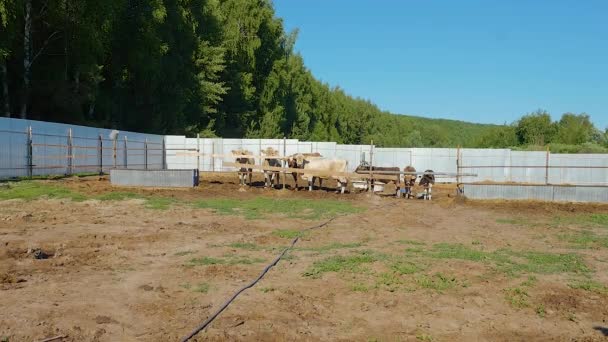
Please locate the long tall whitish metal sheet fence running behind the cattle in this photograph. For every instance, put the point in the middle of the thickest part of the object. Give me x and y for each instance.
(48, 149)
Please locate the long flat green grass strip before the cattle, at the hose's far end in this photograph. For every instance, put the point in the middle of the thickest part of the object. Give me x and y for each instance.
(261, 207)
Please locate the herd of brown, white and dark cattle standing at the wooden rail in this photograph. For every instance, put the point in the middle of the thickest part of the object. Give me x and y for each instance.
(323, 168)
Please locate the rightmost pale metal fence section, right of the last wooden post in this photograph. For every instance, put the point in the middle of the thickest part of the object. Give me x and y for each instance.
(595, 171)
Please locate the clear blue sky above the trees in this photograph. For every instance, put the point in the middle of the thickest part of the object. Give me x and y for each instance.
(485, 61)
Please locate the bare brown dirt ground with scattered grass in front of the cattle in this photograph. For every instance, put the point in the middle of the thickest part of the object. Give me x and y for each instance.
(396, 270)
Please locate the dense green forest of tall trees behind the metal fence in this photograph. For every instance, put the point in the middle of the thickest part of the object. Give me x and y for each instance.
(216, 68)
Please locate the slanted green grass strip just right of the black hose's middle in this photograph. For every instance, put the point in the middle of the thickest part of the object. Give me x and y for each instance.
(338, 263)
